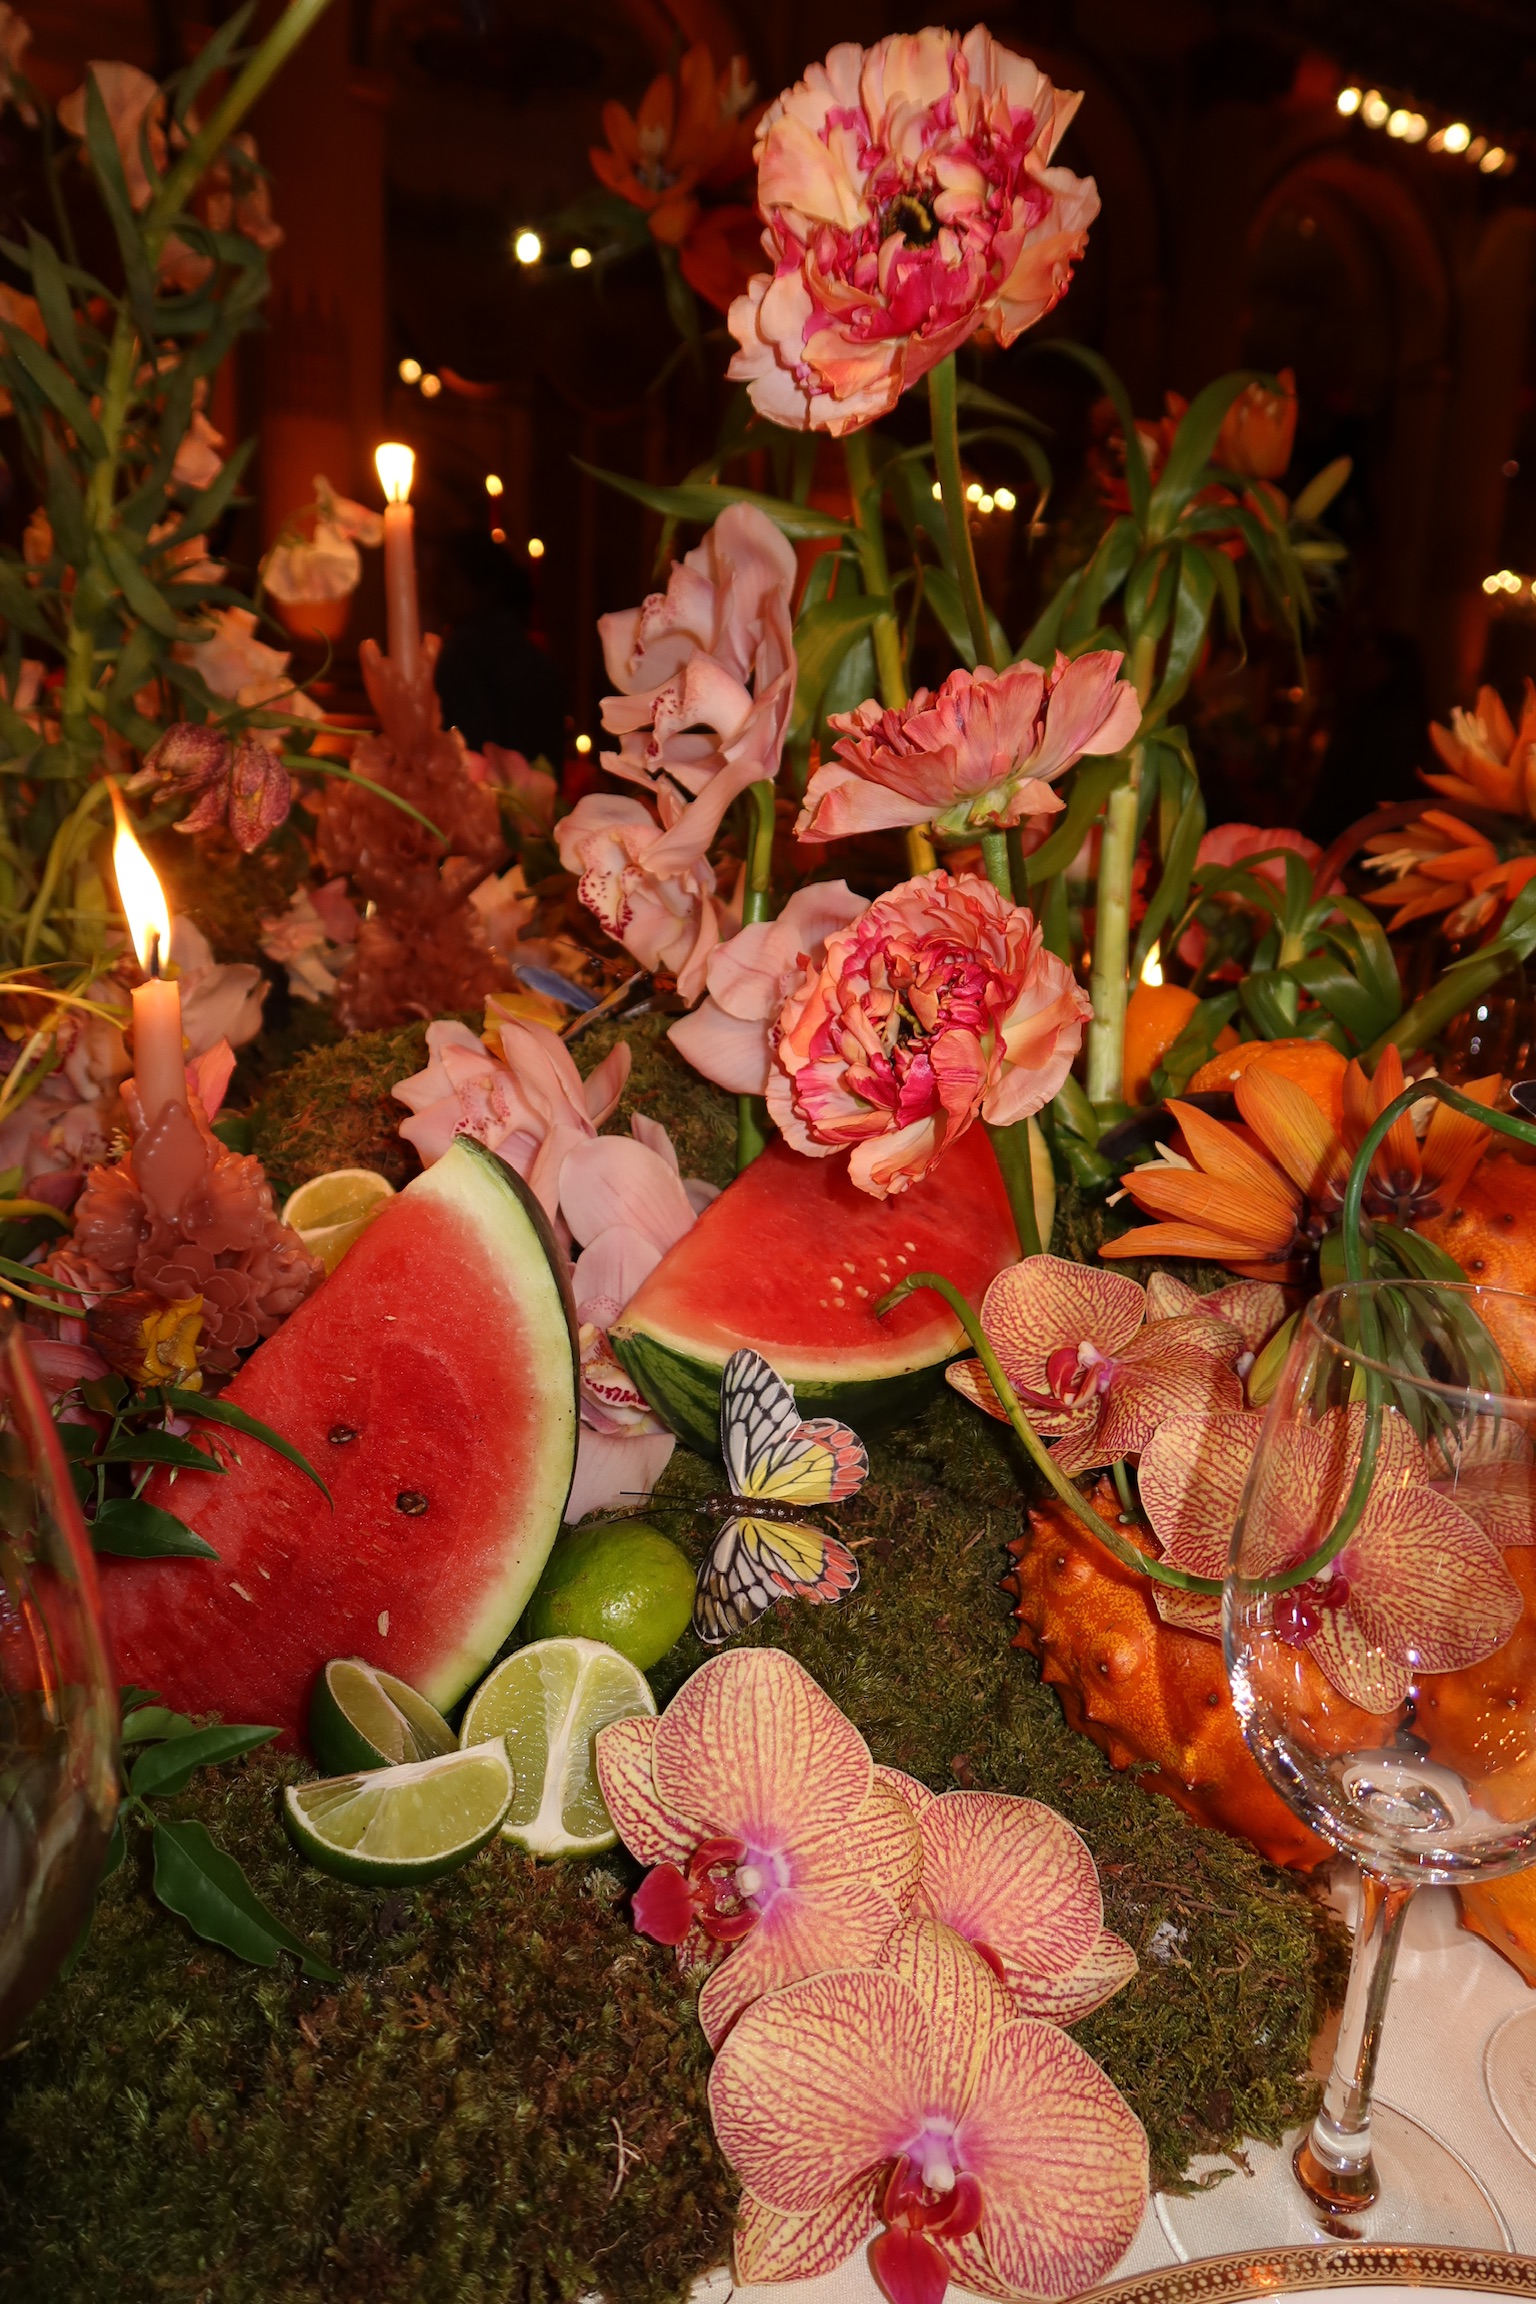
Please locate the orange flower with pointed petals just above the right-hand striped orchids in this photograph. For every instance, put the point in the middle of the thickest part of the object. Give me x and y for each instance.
(1259, 1199)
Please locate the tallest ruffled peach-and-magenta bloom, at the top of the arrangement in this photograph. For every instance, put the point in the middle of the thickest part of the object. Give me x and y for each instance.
(911, 204)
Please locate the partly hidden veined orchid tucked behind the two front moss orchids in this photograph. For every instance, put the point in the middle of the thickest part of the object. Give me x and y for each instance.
(1021, 1888)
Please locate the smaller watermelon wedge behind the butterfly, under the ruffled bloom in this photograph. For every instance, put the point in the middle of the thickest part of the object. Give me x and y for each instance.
(793, 1261)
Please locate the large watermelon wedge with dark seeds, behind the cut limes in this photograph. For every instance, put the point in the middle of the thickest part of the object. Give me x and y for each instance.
(432, 1381)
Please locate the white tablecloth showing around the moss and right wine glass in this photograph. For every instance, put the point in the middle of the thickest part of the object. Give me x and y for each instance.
(1450, 1996)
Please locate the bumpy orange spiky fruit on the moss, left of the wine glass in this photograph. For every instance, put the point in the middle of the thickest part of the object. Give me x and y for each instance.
(1150, 1697)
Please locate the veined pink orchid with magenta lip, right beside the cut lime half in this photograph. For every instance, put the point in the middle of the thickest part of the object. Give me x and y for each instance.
(766, 1826)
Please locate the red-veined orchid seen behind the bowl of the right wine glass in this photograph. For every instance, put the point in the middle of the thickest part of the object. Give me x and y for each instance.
(1417, 1589)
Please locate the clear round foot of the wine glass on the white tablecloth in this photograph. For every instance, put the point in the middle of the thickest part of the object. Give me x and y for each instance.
(1427, 2195)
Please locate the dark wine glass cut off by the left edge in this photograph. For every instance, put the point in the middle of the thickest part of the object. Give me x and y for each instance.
(59, 1706)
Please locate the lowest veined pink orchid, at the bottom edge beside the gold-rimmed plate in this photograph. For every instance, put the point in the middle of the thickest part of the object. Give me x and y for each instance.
(987, 2146)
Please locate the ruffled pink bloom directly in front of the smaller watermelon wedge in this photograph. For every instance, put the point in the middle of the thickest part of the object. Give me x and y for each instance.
(938, 1008)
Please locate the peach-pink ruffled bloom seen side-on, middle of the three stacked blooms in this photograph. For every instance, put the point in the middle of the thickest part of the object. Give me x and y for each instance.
(978, 757)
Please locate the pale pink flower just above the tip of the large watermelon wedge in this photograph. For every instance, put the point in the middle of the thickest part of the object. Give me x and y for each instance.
(526, 1102)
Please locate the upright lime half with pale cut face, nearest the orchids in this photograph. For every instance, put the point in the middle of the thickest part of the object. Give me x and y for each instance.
(547, 1706)
